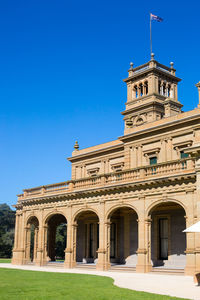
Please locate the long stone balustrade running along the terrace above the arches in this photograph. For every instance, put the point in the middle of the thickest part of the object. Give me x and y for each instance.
(181, 166)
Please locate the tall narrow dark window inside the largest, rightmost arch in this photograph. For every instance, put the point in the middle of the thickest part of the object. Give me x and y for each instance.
(163, 238)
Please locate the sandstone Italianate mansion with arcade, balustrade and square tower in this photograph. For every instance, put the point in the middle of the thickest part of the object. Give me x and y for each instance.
(128, 200)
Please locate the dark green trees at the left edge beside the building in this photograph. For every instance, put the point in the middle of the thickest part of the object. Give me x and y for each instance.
(7, 227)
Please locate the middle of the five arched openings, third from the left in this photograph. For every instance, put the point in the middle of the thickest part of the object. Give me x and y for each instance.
(87, 238)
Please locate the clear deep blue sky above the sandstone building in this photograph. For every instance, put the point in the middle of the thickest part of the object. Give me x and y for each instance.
(61, 70)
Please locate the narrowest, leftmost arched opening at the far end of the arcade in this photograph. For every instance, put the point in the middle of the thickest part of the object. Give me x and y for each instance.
(32, 239)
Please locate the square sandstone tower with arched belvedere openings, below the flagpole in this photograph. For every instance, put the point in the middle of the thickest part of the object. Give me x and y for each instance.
(151, 93)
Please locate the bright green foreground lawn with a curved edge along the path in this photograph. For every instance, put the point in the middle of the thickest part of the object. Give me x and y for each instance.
(33, 285)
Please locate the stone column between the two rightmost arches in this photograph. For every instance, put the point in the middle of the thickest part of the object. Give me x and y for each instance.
(144, 246)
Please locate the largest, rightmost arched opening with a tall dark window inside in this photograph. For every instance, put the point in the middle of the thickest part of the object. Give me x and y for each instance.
(168, 242)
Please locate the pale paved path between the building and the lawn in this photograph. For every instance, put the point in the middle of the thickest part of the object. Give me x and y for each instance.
(172, 285)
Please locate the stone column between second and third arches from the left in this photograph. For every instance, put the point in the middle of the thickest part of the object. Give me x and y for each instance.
(70, 251)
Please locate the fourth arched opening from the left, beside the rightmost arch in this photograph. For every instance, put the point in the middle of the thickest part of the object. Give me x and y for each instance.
(123, 237)
